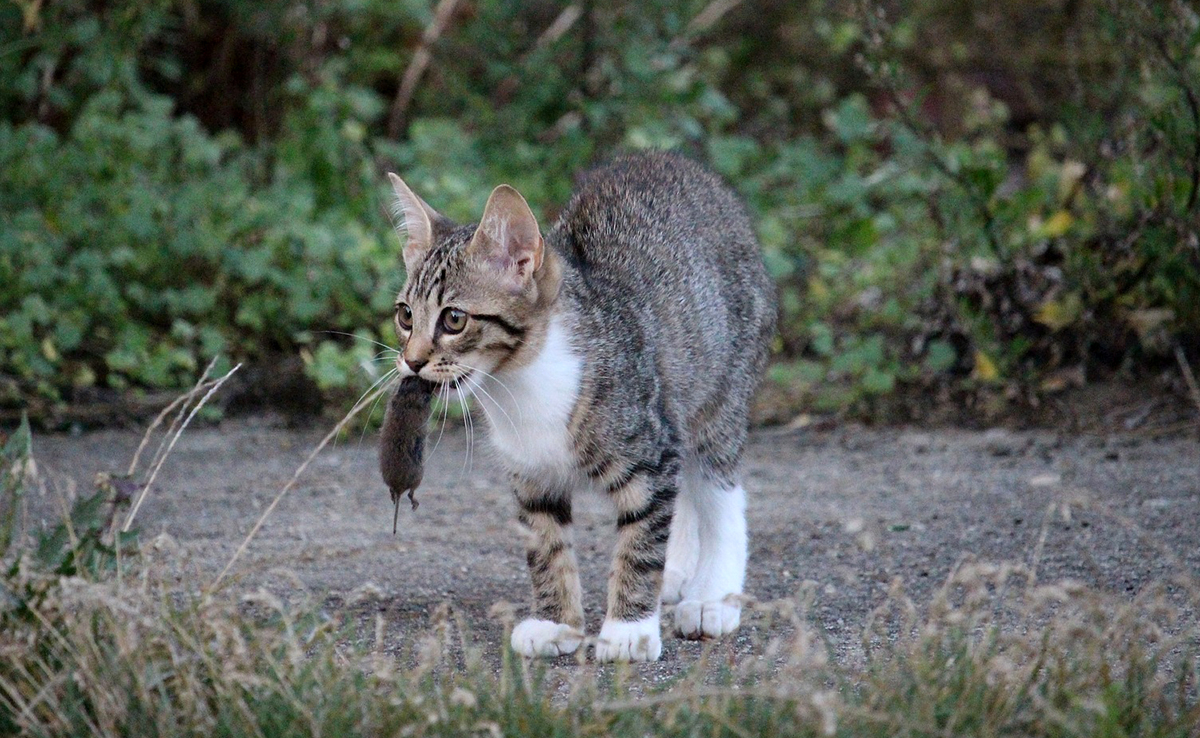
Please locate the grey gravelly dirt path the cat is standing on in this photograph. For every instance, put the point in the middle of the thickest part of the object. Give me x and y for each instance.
(841, 513)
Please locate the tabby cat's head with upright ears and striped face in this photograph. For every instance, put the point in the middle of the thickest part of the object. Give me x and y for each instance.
(477, 298)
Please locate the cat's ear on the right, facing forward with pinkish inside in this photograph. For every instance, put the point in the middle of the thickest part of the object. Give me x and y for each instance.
(508, 237)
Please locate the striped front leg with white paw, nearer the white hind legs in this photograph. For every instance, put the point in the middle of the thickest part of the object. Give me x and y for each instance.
(645, 497)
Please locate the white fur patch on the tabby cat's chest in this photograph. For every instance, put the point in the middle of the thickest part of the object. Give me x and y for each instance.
(530, 409)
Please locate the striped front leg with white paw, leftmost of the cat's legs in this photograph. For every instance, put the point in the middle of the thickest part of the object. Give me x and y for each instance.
(556, 625)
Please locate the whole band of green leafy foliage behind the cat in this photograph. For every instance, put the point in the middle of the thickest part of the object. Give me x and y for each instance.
(179, 182)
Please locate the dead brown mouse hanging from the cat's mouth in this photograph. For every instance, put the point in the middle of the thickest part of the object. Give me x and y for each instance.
(403, 440)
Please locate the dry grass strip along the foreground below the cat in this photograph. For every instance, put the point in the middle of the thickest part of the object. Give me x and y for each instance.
(98, 640)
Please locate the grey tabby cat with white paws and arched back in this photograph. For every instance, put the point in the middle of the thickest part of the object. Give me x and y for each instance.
(619, 352)
